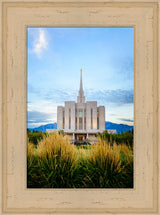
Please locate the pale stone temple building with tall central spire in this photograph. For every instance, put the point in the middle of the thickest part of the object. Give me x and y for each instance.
(81, 121)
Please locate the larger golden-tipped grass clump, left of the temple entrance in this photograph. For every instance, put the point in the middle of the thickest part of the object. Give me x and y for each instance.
(55, 164)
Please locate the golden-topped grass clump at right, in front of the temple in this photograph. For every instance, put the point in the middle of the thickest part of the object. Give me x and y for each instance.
(104, 166)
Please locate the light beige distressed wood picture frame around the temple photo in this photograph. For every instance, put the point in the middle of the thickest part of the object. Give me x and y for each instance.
(16, 16)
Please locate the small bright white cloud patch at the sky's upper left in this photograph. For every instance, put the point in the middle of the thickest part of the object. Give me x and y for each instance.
(40, 43)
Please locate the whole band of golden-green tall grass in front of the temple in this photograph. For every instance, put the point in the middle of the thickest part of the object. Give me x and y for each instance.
(55, 163)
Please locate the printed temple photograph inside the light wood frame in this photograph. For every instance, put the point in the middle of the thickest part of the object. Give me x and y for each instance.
(80, 121)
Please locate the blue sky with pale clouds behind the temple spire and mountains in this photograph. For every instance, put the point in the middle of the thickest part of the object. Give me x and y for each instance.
(55, 57)
